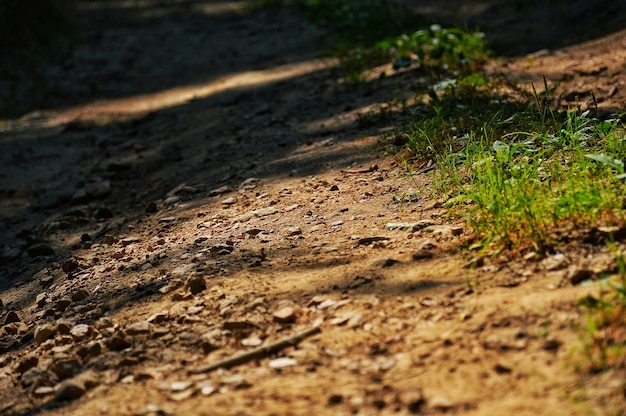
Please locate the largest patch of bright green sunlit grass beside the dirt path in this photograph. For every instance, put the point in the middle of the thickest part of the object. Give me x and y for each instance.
(519, 171)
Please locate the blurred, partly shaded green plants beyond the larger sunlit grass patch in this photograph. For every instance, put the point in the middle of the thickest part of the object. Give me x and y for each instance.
(367, 33)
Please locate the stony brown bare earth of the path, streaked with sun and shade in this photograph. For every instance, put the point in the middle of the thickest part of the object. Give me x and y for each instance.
(196, 185)
